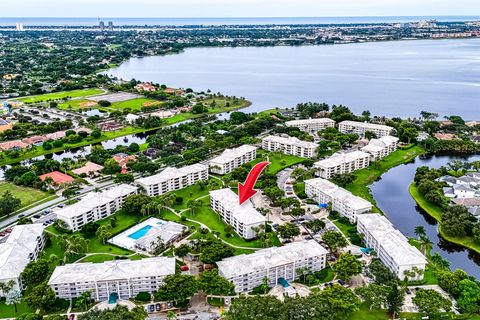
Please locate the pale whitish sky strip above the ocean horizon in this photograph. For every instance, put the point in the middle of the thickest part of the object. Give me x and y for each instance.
(235, 8)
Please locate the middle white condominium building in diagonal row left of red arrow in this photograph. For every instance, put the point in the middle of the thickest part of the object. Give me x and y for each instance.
(172, 179)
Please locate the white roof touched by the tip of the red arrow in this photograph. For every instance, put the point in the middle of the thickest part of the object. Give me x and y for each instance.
(244, 213)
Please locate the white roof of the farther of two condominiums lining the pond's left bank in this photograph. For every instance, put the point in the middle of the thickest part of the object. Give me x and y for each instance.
(339, 194)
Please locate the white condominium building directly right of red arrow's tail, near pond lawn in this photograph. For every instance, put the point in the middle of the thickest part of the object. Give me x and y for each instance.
(342, 163)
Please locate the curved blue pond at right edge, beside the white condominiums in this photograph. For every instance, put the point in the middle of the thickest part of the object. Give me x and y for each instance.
(392, 196)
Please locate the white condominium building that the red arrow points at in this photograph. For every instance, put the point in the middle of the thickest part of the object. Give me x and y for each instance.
(243, 218)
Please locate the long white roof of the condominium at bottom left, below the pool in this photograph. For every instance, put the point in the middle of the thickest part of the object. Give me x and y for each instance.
(113, 270)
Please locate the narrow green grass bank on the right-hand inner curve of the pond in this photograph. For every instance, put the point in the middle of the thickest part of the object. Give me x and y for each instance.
(436, 212)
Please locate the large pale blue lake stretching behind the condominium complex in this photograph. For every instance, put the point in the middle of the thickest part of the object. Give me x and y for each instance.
(388, 78)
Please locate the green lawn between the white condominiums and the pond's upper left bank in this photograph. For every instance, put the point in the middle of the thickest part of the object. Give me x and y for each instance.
(367, 176)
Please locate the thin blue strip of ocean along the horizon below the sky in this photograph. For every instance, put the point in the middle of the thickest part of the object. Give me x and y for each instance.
(29, 21)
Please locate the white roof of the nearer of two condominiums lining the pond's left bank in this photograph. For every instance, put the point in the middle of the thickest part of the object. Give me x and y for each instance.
(392, 240)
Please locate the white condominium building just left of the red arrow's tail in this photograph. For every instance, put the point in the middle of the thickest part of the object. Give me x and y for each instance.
(232, 158)
